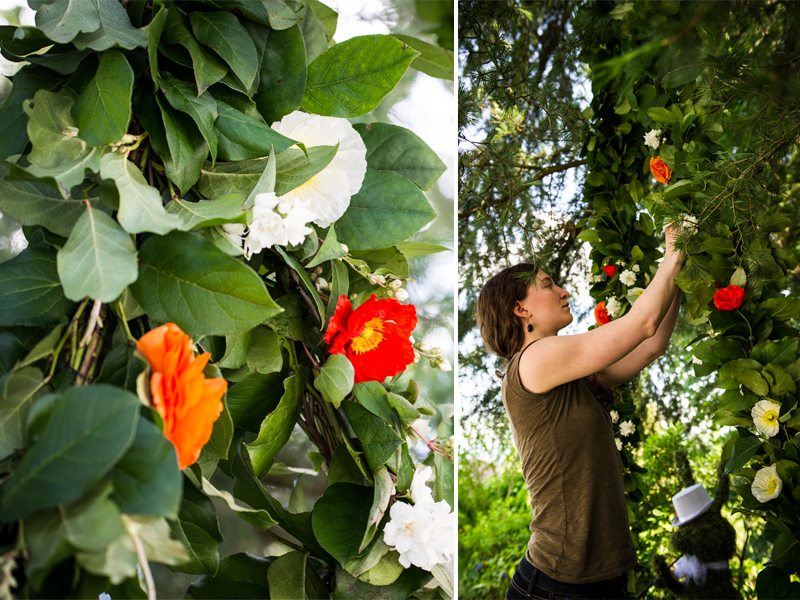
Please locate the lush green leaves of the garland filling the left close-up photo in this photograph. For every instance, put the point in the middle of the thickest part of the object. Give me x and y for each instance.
(136, 137)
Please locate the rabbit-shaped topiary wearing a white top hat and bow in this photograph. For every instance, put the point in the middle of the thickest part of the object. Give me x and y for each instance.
(707, 541)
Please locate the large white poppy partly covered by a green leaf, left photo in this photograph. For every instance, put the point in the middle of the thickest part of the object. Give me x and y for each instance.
(328, 192)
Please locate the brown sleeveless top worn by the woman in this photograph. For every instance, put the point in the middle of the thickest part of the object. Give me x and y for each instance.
(565, 440)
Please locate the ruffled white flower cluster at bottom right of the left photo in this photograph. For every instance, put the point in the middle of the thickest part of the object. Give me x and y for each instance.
(421, 532)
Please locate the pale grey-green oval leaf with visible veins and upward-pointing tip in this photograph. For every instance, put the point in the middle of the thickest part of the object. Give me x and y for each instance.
(99, 259)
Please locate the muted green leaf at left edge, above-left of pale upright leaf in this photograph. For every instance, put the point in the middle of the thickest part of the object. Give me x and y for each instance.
(32, 201)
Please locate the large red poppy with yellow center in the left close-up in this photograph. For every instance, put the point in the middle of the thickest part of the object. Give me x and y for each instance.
(374, 337)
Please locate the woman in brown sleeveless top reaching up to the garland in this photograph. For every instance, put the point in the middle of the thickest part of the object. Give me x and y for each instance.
(580, 545)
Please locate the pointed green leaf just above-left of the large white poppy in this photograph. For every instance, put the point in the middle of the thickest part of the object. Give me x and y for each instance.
(244, 136)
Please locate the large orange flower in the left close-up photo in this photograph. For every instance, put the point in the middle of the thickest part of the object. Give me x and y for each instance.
(187, 401)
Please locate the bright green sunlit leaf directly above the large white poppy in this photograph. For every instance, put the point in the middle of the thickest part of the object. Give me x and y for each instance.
(351, 78)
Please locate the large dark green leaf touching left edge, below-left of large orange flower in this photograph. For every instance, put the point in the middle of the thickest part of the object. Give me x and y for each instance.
(90, 429)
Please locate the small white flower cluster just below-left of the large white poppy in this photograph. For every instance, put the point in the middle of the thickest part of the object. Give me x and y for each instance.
(276, 222)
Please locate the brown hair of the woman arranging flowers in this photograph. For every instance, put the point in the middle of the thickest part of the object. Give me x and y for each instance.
(500, 328)
